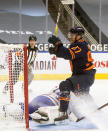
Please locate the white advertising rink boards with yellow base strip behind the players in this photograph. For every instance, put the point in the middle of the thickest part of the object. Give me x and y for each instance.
(50, 67)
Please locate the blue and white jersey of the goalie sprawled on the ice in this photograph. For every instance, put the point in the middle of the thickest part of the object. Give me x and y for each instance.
(50, 99)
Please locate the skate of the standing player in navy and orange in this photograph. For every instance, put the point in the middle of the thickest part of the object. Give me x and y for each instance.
(62, 119)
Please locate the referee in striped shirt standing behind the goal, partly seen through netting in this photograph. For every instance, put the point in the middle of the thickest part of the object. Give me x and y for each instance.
(17, 67)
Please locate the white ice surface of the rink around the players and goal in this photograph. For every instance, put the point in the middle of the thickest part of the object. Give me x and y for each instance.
(99, 91)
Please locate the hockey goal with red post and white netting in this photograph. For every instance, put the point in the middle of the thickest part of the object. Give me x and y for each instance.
(14, 84)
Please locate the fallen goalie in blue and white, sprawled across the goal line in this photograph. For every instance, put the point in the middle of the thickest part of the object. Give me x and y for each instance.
(45, 100)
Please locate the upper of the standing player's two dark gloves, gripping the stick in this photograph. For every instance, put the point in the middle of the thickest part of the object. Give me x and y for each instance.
(55, 41)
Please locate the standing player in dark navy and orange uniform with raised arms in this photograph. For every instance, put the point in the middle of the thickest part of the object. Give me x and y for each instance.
(83, 72)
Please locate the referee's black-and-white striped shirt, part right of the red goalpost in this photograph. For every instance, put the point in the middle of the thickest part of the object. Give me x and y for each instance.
(31, 54)
